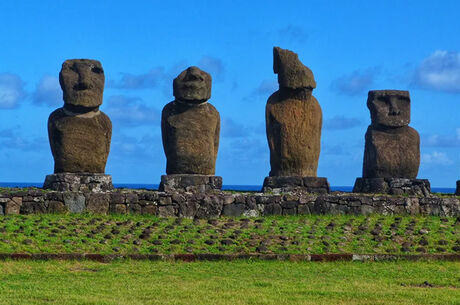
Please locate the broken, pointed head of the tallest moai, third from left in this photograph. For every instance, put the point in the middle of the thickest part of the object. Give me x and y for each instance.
(291, 72)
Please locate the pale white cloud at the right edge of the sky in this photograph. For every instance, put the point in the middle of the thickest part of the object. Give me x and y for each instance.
(440, 71)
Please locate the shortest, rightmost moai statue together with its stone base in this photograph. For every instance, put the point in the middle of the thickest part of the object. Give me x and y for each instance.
(392, 149)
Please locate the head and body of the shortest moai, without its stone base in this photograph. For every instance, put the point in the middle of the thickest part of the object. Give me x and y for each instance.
(392, 148)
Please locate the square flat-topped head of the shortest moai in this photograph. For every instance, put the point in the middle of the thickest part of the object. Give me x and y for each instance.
(389, 107)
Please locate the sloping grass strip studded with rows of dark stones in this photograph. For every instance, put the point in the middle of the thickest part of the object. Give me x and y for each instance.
(127, 234)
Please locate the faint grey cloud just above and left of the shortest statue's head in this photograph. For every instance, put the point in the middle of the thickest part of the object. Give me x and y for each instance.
(355, 83)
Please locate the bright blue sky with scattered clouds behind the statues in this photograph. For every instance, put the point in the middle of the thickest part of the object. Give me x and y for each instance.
(351, 47)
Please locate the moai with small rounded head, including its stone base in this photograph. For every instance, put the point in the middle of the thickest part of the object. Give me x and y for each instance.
(190, 129)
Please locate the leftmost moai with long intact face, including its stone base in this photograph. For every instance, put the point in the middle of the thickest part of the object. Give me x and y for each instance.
(79, 133)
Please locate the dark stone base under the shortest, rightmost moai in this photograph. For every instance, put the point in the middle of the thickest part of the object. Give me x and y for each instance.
(393, 186)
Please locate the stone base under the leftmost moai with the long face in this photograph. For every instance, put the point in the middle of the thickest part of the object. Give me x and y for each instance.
(79, 182)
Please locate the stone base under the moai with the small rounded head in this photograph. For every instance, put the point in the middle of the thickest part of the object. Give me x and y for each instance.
(190, 183)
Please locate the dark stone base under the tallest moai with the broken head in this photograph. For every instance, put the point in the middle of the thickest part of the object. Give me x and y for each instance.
(292, 183)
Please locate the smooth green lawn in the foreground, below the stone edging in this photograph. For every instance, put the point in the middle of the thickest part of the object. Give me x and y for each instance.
(239, 282)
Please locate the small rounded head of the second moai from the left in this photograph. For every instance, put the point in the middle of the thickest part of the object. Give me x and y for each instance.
(192, 86)
